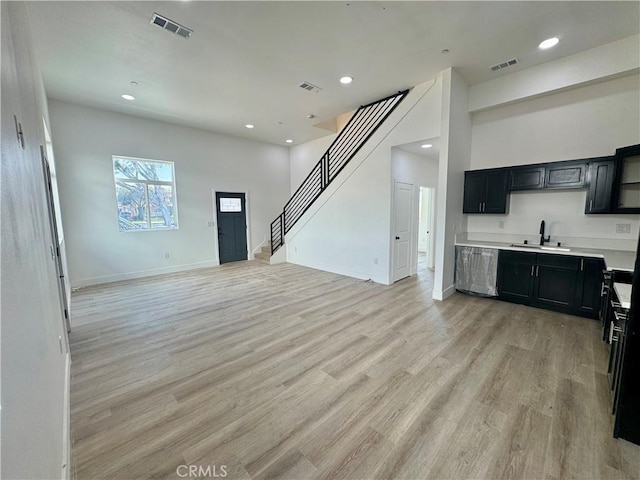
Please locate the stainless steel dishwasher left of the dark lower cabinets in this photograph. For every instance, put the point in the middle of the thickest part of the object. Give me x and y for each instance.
(477, 270)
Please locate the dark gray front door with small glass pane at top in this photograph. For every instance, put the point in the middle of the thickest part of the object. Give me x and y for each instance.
(232, 226)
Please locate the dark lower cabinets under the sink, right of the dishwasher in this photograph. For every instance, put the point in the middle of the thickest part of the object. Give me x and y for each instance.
(563, 283)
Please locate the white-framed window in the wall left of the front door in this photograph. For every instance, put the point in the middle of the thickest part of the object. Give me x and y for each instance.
(145, 194)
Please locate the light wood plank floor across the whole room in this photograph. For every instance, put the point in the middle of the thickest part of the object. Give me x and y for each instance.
(287, 372)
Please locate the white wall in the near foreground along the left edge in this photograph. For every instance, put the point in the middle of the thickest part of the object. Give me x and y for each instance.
(34, 425)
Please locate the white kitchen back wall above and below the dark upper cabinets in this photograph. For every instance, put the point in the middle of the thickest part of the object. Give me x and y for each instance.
(584, 122)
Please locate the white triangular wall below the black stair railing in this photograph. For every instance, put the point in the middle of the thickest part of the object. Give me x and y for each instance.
(347, 230)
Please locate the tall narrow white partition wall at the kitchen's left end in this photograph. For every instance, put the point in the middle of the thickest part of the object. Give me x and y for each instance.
(455, 148)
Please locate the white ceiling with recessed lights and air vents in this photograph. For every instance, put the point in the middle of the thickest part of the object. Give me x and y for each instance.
(245, 60)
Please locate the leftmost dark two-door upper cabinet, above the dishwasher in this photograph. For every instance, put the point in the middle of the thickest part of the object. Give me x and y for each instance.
(485, 191)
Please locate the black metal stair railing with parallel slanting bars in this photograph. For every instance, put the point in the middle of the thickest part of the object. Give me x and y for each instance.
(362, 125)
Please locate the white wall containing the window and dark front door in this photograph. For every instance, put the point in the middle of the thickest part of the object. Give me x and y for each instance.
(85, 140)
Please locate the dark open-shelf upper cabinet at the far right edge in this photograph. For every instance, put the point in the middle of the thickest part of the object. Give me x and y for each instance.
(626, 185)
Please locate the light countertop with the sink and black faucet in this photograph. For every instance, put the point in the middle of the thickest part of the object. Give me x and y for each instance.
(613, 259)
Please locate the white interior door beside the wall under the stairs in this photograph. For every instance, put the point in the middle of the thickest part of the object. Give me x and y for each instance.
(403, 238)
